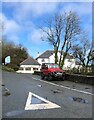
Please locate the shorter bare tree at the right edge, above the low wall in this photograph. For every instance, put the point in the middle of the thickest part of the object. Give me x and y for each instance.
(84, 53)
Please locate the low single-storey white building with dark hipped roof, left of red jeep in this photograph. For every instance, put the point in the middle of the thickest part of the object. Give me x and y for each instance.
(29, 66)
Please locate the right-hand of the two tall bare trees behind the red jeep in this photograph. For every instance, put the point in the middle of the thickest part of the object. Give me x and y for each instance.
(71, 31)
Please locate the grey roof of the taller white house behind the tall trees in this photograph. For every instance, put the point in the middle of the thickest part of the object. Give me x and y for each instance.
(48, 53)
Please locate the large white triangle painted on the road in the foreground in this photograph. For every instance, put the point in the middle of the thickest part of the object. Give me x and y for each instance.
(46, 105)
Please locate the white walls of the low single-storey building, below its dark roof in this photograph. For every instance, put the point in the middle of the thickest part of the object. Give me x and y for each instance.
(29, 71)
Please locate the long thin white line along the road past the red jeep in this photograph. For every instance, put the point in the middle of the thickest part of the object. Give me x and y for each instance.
(80, 91)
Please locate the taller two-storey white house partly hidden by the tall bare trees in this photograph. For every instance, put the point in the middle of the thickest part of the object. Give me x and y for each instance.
(48, 57)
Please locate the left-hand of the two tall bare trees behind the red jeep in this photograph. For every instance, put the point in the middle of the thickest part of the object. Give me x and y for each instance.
(53, 32)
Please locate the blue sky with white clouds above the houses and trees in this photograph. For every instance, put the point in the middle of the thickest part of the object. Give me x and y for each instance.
(22, 19)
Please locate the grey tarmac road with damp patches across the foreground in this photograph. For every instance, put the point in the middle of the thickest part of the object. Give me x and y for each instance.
(74, 99)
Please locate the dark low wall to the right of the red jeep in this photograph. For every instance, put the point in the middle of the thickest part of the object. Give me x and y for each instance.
(80, 78)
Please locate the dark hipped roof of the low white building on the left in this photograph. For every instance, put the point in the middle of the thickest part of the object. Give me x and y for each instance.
(29, 61)
